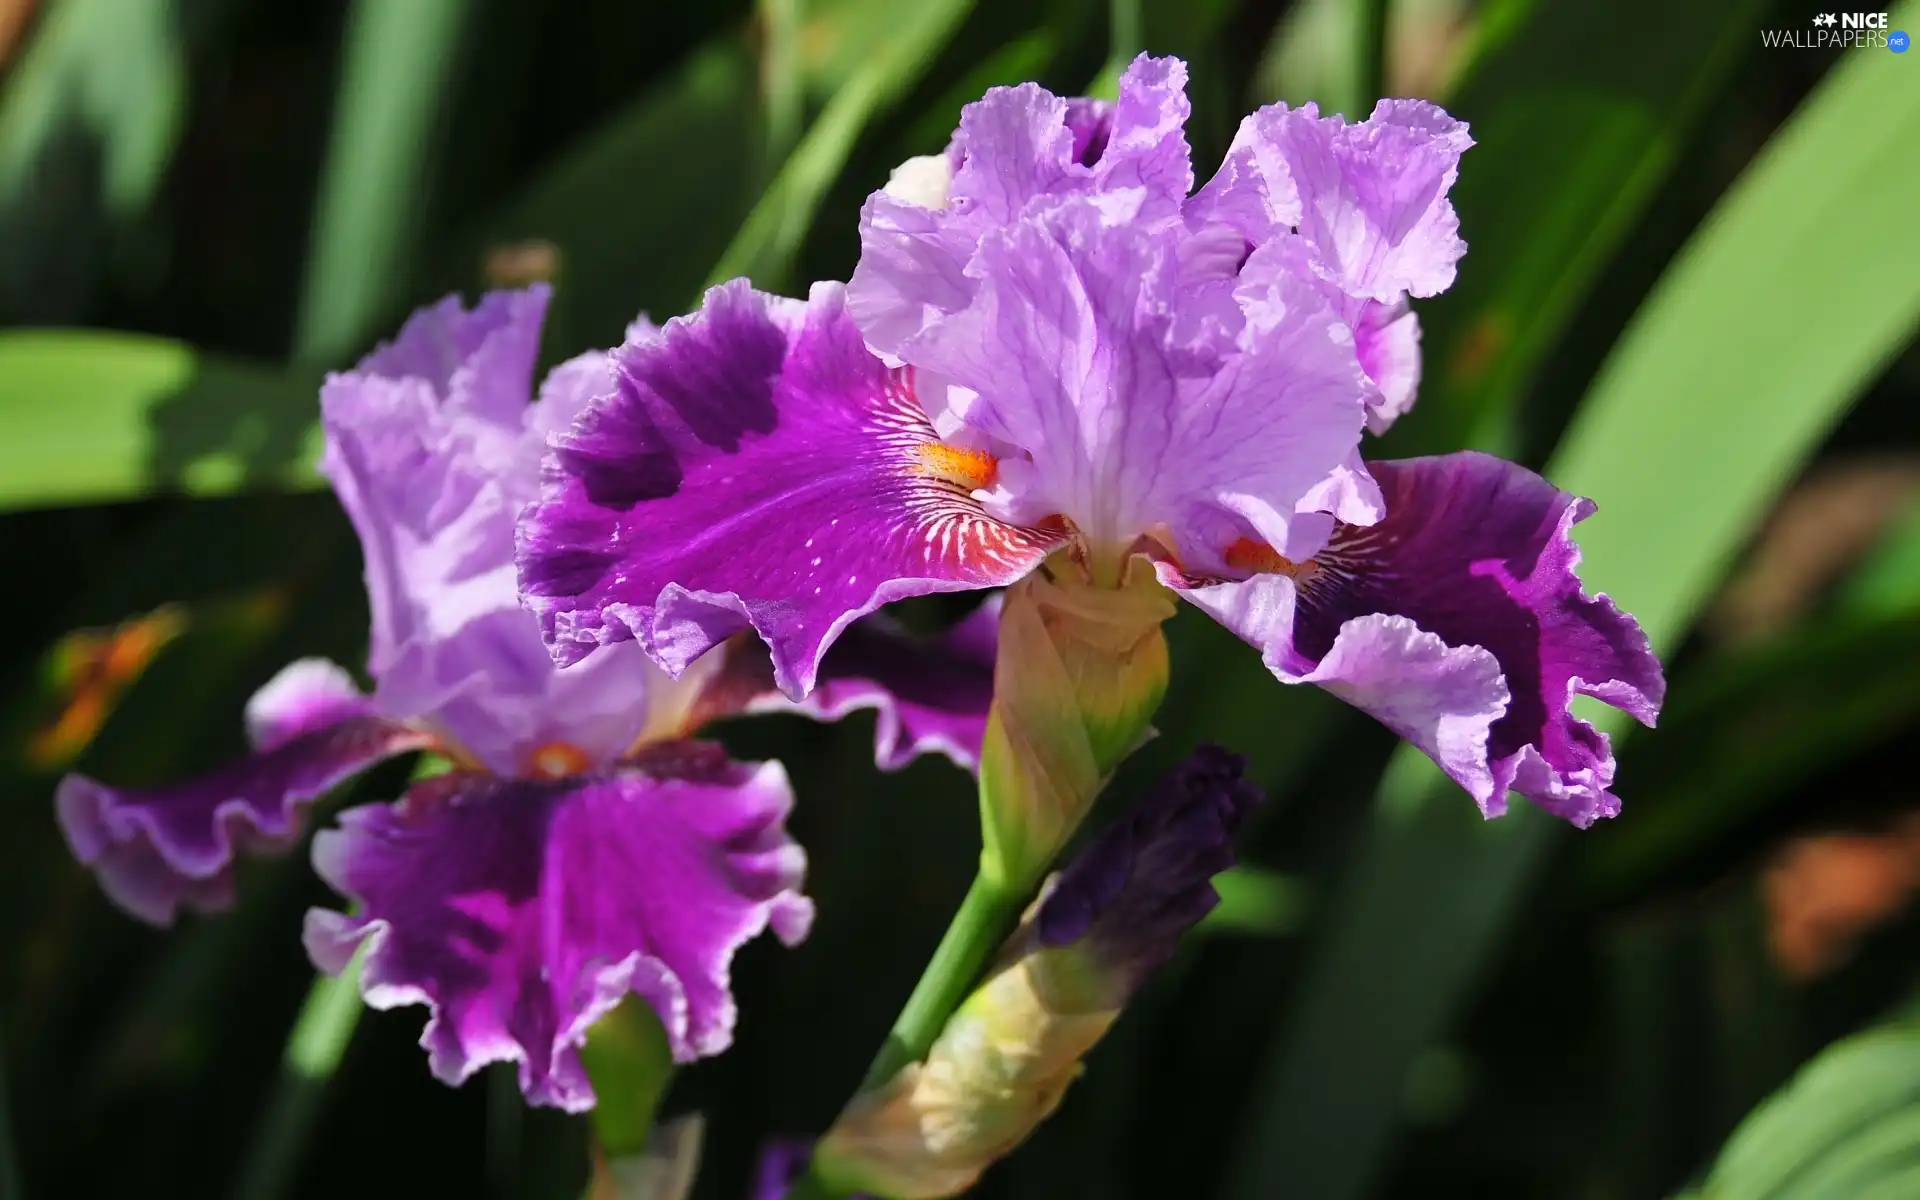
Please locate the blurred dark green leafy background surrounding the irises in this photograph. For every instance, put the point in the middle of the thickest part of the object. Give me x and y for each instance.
(1692, 295)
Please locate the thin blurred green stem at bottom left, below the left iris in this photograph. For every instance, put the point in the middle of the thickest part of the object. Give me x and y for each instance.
(314, 1053)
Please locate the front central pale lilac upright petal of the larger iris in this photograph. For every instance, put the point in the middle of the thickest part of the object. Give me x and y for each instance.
(1130, 423)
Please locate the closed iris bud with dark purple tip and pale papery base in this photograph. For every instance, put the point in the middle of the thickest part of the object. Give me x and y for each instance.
(1009, 1055)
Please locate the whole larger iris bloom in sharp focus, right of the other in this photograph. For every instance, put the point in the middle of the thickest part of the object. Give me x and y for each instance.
(1053, 343)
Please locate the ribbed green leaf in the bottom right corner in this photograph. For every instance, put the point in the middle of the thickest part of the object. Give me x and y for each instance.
(1846, 1128)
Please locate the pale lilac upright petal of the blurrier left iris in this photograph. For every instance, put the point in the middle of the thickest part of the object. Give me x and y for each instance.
(435, 450)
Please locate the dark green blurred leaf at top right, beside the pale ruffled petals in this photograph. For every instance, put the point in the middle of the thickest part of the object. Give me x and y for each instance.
(1579, 120)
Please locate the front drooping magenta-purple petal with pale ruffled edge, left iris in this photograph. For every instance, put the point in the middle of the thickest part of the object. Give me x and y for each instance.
(525, 911)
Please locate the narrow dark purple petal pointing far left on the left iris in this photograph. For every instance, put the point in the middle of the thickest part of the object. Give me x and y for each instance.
(164, 848)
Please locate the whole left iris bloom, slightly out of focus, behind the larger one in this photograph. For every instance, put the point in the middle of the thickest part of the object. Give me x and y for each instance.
(583, 848)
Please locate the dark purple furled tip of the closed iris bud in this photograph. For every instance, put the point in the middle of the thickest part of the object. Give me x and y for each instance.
(1149, 876)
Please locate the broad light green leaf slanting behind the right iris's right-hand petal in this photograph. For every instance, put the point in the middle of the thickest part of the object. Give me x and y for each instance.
(1781, 310)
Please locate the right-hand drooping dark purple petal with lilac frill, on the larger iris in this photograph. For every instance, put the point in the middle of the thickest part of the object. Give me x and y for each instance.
(1462, 625)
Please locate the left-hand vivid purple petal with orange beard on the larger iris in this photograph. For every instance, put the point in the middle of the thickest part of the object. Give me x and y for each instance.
(757, 468)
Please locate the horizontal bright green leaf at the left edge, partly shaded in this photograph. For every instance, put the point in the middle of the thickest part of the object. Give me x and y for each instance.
(89, 418)
